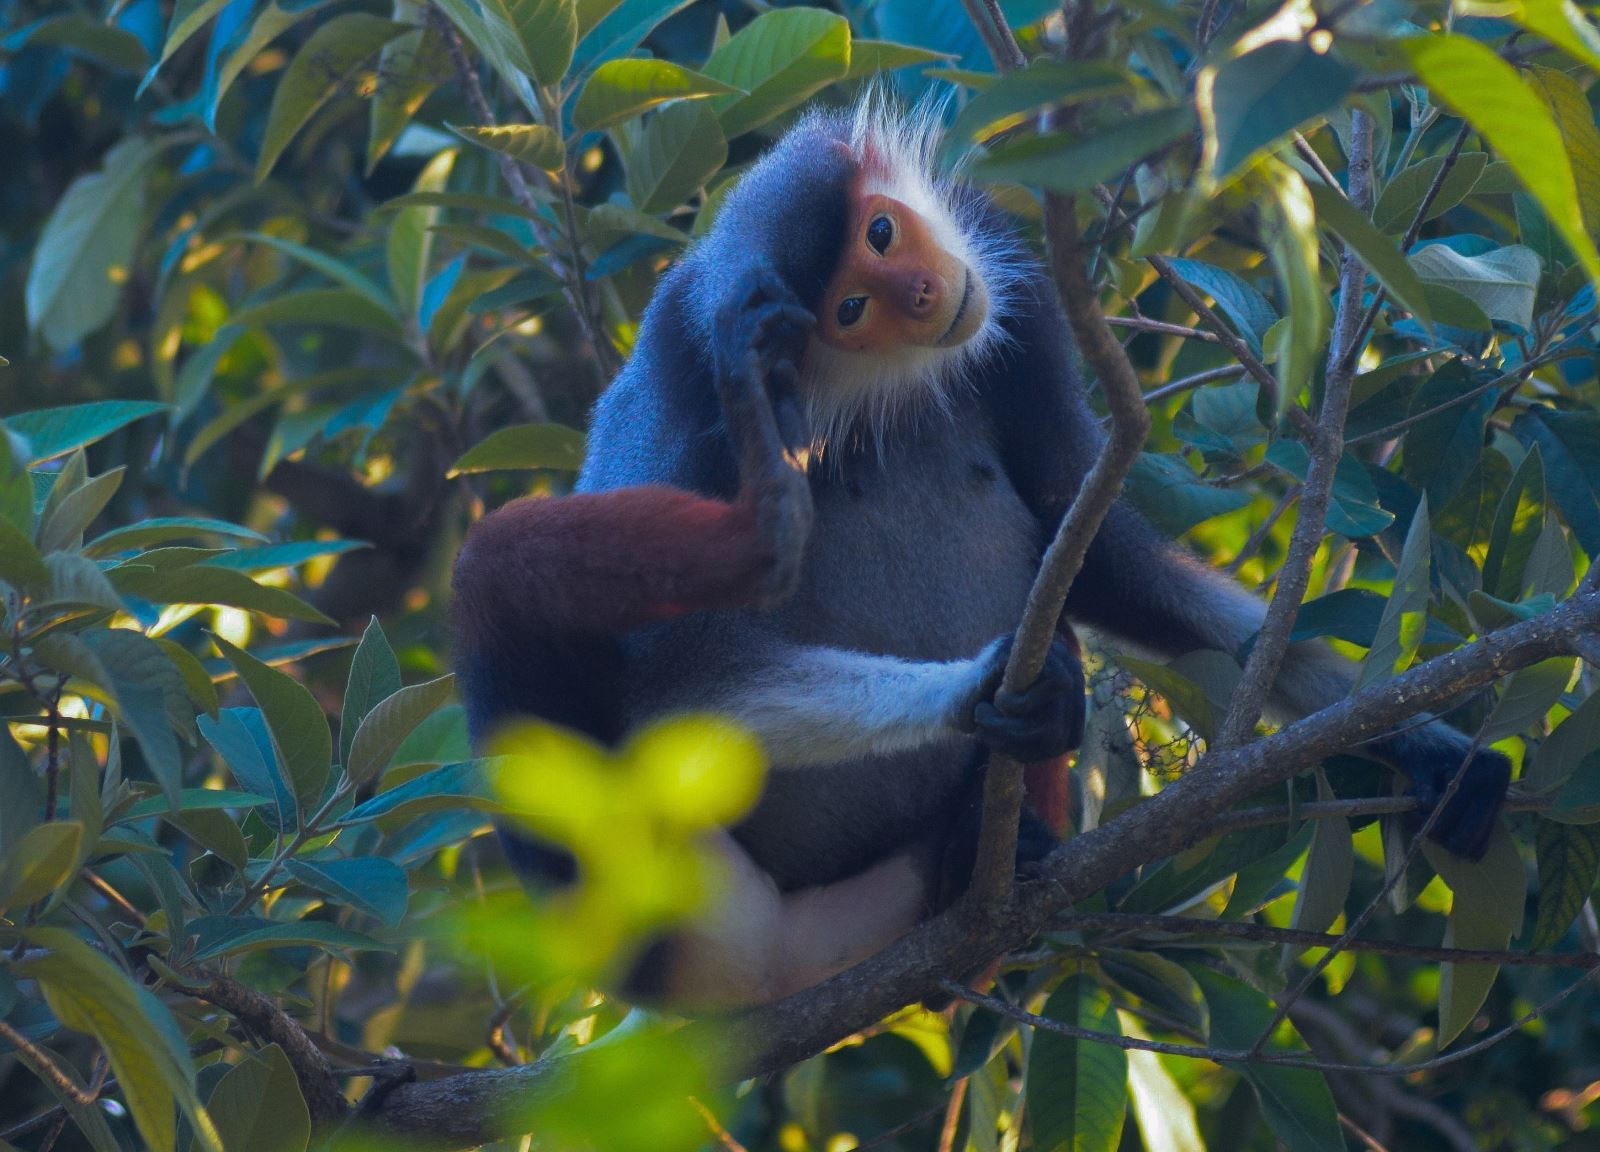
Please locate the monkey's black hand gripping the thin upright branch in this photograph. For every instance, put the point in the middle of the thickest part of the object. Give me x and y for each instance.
(1042, 722)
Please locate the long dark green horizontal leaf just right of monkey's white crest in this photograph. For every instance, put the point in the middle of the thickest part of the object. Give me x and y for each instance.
(1081, 161)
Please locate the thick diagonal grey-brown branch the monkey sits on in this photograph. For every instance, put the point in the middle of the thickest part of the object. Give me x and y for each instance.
(474, 1108)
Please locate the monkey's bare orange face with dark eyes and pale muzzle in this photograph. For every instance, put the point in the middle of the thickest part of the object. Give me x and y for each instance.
(897, 287)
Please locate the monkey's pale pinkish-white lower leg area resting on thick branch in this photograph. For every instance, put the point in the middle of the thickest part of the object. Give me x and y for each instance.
(761, 945)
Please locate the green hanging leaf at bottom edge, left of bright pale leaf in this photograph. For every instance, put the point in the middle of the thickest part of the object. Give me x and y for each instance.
(1078, 1090)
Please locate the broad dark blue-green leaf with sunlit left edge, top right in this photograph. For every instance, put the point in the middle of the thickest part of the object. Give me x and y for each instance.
(1258, 98)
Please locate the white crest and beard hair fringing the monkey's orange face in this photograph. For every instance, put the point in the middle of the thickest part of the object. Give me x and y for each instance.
(860, 394)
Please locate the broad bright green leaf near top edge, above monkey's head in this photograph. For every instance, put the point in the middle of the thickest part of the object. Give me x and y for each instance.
(782, 60)
